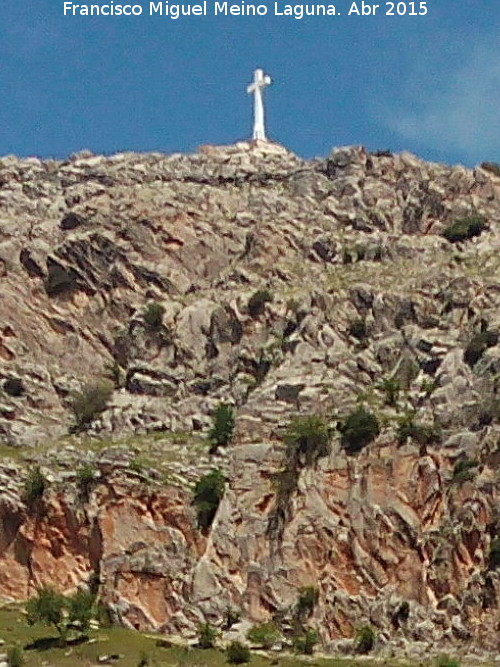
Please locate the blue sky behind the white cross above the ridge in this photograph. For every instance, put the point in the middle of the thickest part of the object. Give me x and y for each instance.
(427, 84)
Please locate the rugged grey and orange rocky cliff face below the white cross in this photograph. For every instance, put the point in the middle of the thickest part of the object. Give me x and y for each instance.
(365, 290)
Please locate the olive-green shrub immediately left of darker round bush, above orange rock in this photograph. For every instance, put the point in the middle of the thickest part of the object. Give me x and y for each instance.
(308, 437)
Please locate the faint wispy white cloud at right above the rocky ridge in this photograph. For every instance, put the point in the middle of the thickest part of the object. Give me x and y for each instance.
(455, 109)
